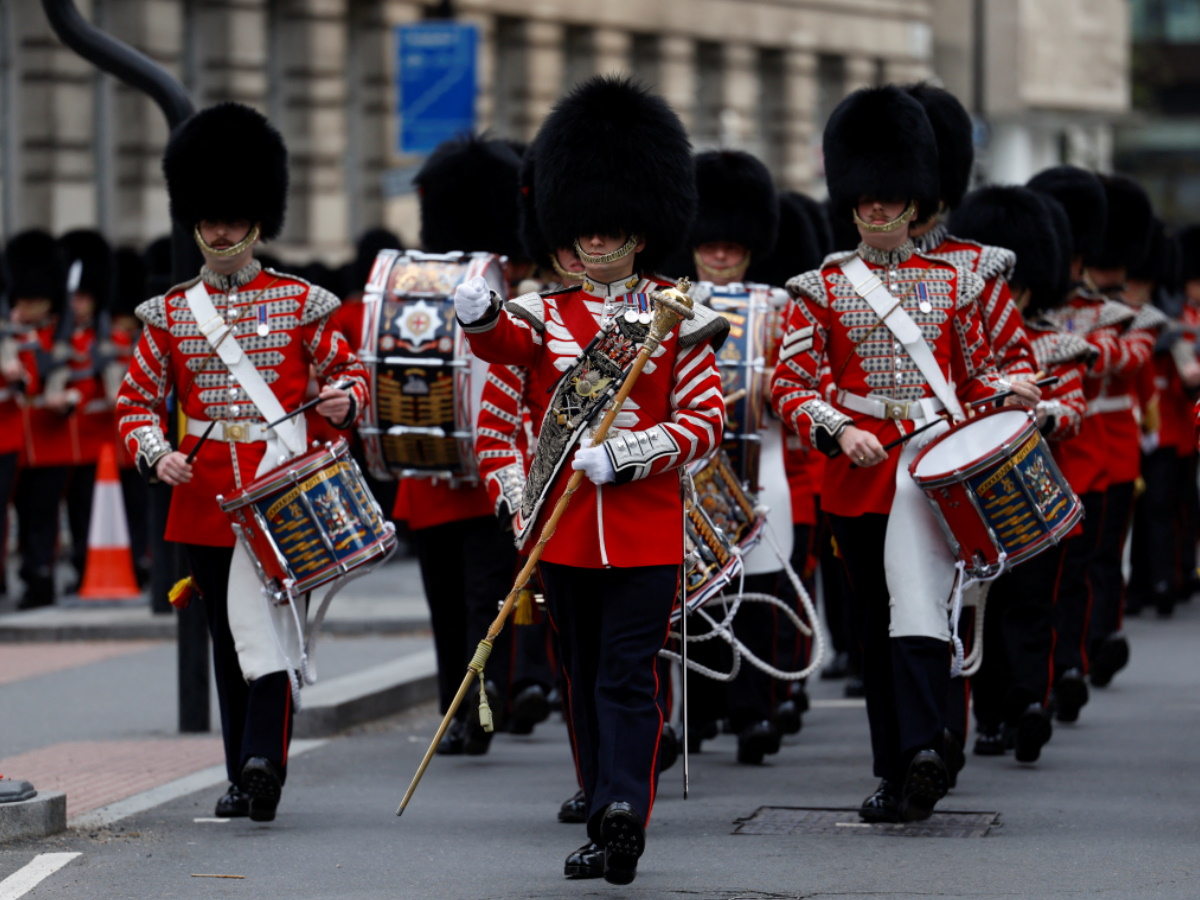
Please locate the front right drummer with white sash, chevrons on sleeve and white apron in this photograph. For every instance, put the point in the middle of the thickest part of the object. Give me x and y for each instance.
(856, 371)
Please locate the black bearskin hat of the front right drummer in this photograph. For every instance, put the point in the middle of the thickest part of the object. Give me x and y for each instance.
(879, 143)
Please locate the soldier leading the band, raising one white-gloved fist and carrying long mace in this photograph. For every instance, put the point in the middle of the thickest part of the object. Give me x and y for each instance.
(614, 178)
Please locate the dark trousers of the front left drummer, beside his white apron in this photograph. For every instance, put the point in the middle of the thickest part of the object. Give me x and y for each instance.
(256, 717)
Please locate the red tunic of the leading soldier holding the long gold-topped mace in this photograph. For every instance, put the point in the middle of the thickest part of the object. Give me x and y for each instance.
(679, 399)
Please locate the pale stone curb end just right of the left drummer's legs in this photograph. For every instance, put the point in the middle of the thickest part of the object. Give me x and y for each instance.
(387, 689)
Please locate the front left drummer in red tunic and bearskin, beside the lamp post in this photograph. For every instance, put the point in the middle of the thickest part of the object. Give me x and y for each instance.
(233, 343)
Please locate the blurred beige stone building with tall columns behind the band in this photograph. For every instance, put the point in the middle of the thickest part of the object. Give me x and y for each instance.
(79, 149)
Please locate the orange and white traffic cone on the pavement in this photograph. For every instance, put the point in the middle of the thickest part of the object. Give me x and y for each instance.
(110, 573)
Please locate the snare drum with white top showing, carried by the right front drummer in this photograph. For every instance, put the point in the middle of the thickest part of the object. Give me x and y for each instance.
(997, 490)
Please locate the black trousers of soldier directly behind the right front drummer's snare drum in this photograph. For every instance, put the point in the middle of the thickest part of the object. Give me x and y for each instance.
(1018, 641)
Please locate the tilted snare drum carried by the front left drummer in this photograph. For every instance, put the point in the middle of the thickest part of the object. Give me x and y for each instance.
(310, 521)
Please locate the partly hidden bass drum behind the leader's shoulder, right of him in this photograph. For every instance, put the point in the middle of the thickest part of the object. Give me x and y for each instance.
(743, 364)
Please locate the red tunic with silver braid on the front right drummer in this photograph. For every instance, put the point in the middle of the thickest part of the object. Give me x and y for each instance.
(836, 343)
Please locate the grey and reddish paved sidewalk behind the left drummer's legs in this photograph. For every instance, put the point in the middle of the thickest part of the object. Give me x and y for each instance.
(89, 694)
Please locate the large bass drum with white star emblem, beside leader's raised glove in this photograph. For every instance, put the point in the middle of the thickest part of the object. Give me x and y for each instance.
(425, 383)
